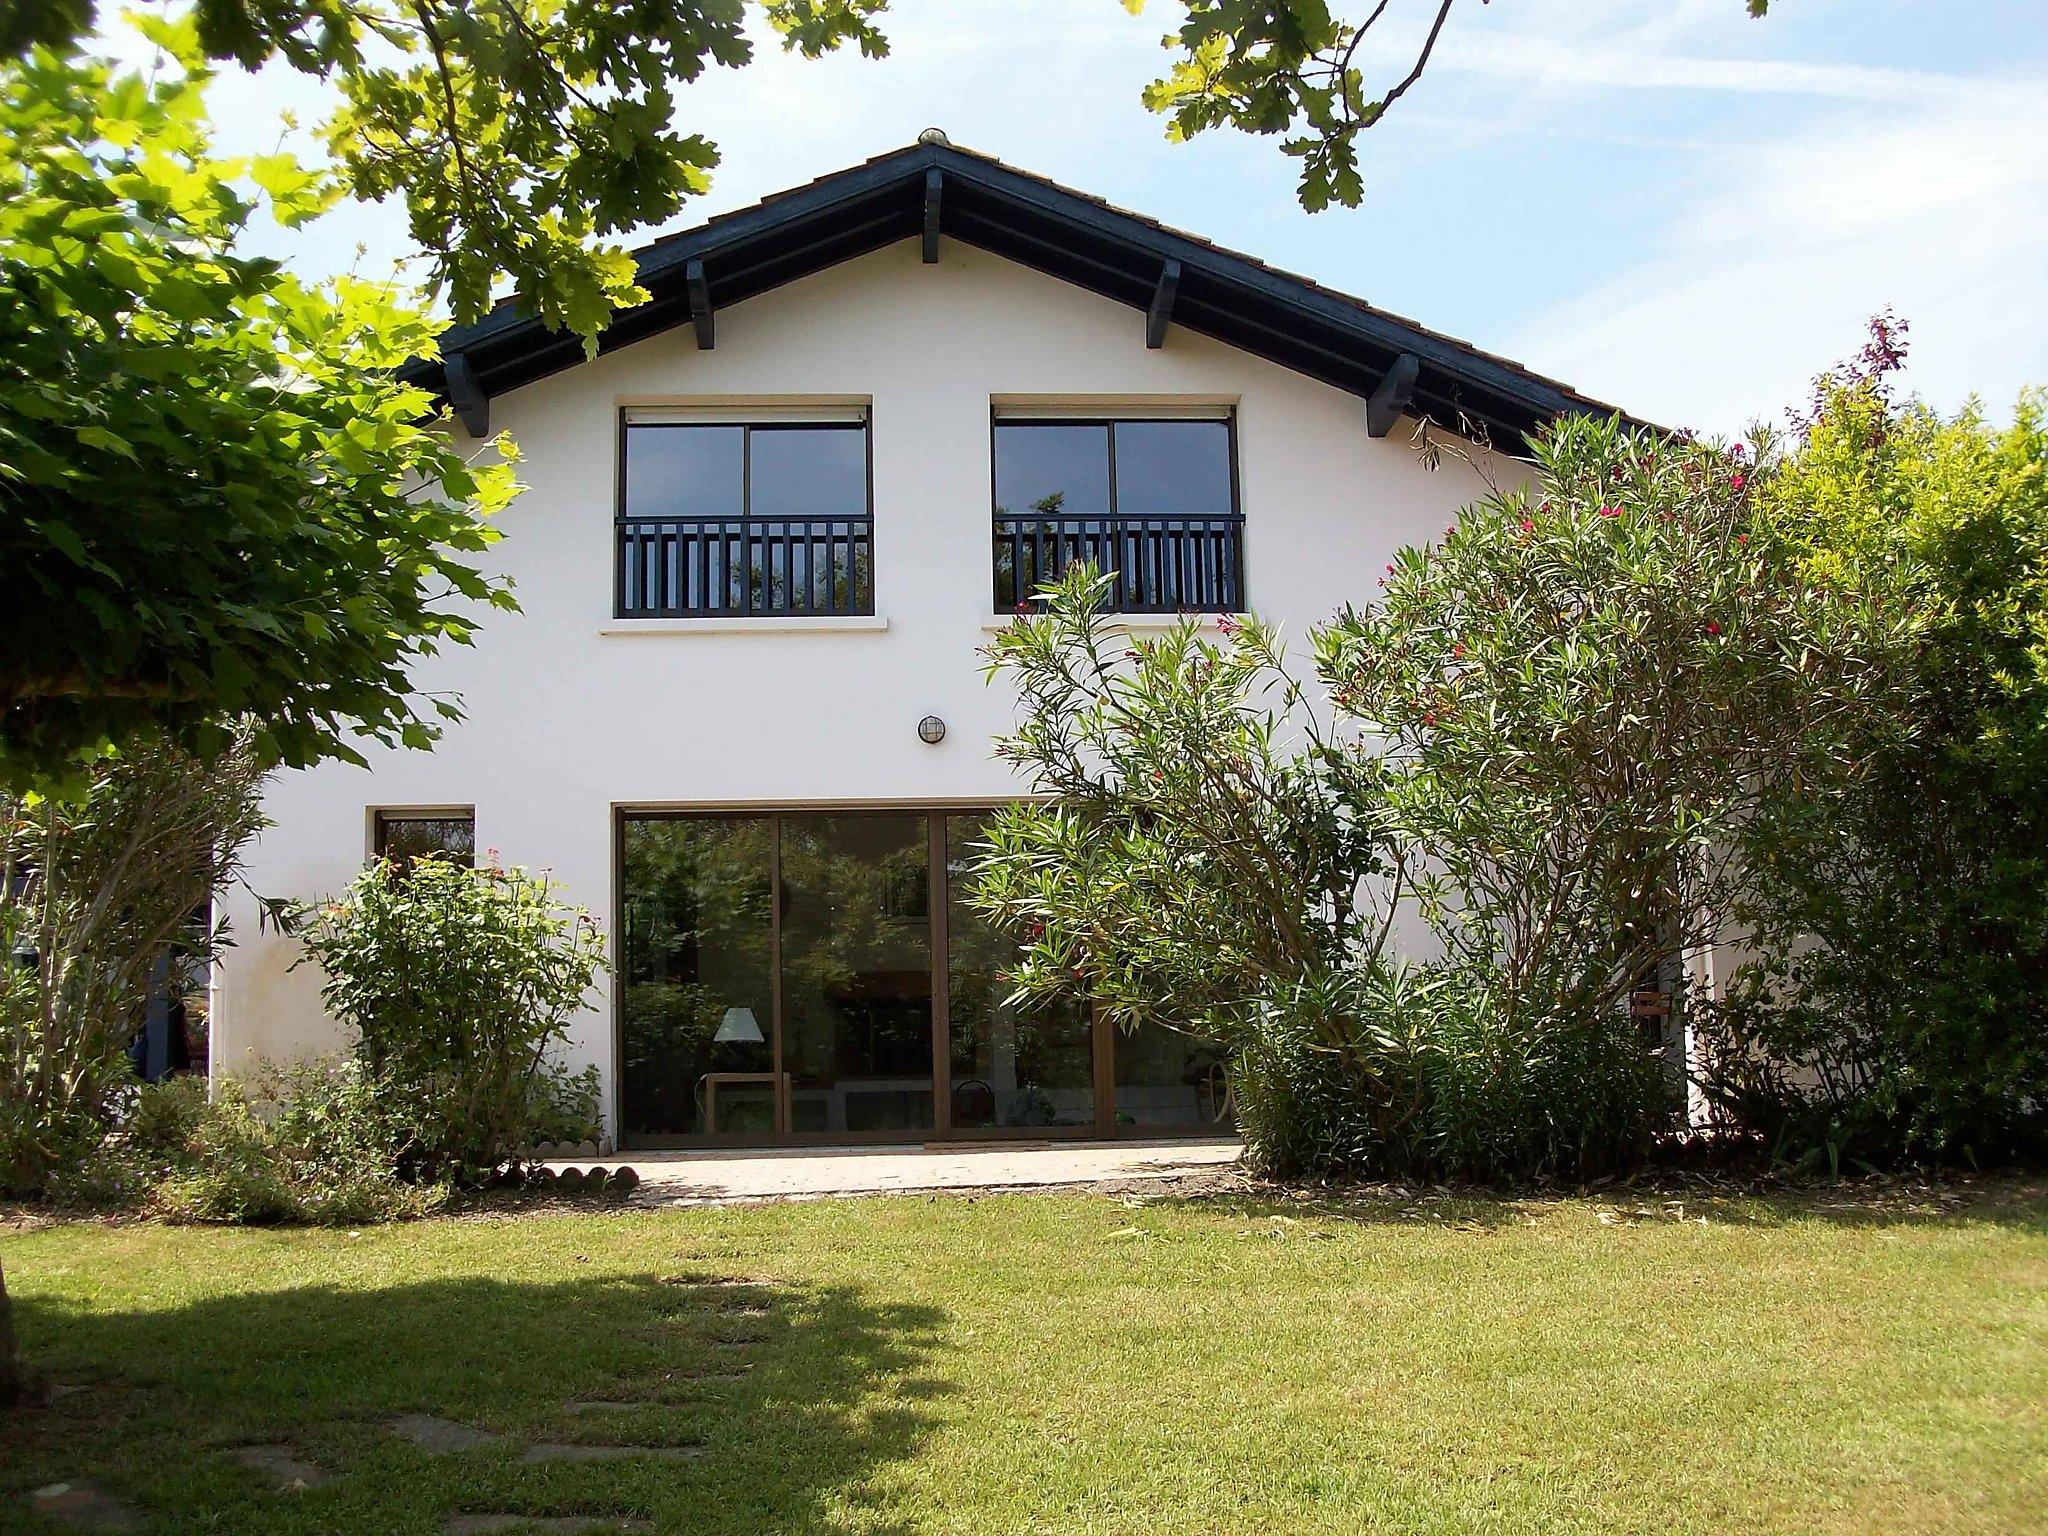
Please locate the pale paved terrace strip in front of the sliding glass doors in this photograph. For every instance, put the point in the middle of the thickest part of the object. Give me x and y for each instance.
(828, 1172)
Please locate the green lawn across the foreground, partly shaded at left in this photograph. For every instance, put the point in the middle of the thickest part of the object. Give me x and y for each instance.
(1074, 1365)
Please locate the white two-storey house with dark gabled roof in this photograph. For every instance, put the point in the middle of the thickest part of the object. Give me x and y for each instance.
(767, 531)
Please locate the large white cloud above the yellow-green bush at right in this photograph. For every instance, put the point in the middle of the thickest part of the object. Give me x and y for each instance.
(1943, 216)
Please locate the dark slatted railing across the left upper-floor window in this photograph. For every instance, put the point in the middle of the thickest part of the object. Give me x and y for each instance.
(706, 568)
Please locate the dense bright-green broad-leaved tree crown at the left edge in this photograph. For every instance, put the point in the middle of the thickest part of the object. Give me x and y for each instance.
(214, 497)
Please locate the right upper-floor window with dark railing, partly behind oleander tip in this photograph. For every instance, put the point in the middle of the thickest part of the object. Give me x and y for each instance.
(1148, 499)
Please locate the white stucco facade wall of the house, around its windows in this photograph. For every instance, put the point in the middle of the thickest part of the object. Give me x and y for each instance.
(566, 722)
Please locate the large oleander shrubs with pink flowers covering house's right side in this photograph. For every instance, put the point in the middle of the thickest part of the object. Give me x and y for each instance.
(1547, 740)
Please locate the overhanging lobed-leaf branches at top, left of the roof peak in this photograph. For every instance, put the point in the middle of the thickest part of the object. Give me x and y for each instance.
(519, 134)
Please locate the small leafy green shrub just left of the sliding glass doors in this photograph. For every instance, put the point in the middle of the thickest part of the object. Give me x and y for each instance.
(458, 982)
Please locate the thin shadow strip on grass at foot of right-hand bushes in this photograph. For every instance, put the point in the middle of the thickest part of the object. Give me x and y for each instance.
(1996, 1199)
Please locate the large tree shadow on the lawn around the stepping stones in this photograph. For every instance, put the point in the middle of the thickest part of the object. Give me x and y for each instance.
(796, 1400)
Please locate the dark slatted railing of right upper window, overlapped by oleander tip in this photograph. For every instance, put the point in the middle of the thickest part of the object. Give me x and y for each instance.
(1185, 564)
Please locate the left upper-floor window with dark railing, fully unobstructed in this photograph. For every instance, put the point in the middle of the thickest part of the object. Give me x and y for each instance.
(744, 517)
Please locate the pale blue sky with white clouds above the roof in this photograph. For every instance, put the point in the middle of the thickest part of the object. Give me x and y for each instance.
(1666, 204)
